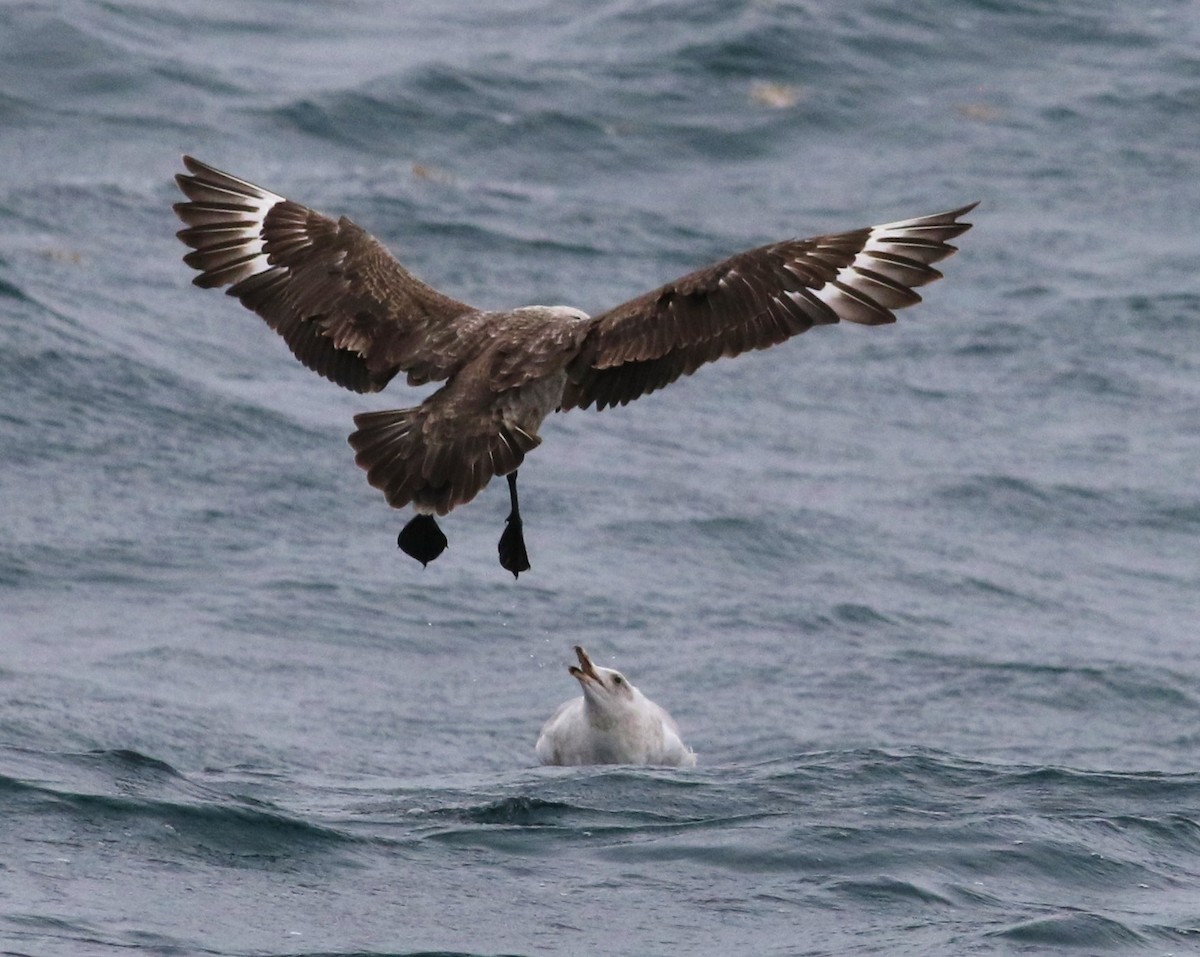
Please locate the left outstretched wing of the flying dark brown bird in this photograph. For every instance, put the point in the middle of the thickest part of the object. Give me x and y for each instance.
(344, 305)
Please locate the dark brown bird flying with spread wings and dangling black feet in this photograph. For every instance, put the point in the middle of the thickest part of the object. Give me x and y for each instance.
(356, 316)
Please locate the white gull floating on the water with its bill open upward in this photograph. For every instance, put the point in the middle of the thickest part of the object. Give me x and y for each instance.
(611, 724)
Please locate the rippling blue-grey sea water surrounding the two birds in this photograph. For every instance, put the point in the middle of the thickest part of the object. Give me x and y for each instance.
(923, 598)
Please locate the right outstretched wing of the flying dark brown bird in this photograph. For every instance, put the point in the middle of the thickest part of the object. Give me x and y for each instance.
(758, 299)
